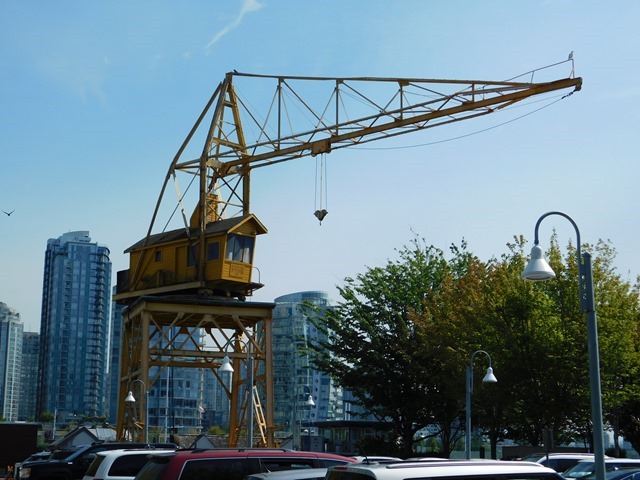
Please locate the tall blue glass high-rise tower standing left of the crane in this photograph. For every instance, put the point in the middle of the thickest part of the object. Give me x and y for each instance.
(74, 327)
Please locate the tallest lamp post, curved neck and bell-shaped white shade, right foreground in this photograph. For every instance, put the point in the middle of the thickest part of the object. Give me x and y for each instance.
(538, 269)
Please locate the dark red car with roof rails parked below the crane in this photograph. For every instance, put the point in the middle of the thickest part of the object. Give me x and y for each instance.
(232, 464)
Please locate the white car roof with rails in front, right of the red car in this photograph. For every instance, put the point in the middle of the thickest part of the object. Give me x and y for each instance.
(463, 469)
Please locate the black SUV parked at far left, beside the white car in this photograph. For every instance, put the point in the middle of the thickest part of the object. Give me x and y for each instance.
(73, 464)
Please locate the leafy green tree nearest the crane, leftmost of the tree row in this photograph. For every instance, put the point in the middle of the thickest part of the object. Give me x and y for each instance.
(388, 341)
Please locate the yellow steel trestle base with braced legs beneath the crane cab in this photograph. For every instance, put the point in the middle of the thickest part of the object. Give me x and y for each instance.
(155, 332)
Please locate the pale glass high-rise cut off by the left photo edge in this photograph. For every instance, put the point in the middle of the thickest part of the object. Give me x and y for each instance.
(10, 361)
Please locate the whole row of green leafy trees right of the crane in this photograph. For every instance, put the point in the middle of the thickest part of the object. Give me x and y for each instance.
(403, 334)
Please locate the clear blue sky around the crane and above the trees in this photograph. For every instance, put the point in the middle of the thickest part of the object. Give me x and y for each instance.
(97, 97)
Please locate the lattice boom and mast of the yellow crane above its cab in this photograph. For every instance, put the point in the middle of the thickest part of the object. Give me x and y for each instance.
(279, 118)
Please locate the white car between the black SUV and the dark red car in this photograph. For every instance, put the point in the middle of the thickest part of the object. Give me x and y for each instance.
(119, 464)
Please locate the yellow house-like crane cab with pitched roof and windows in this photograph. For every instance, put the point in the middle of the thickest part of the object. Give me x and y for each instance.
(218, 261)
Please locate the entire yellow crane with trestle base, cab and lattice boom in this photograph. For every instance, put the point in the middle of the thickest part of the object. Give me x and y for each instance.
(195, 274)
